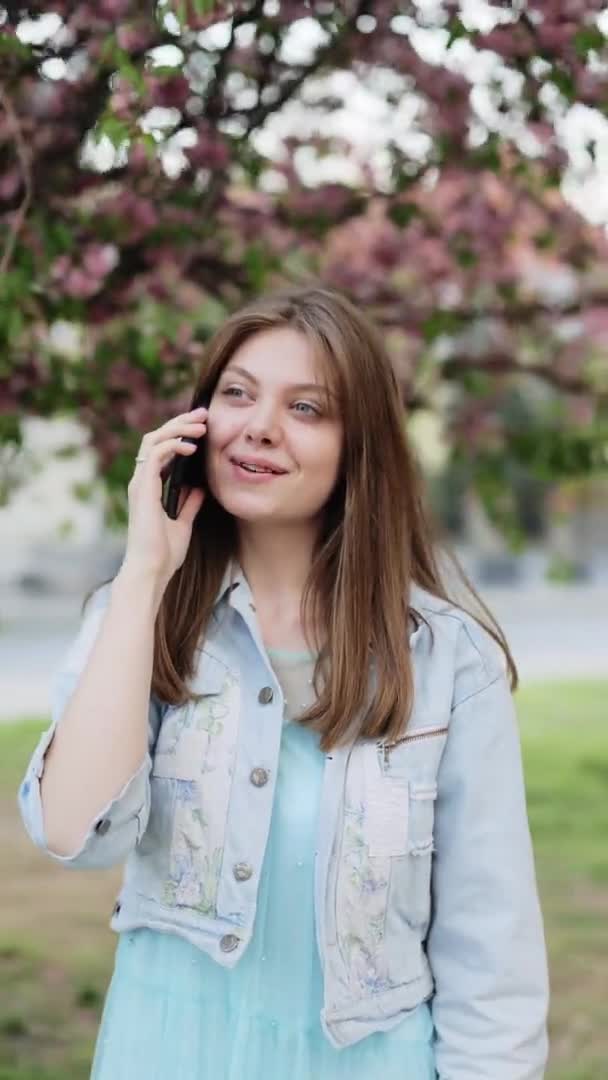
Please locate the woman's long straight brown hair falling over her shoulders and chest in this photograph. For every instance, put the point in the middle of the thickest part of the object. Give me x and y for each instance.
(379, 534)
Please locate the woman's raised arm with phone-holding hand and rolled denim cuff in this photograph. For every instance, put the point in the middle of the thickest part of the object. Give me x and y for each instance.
(94, 760)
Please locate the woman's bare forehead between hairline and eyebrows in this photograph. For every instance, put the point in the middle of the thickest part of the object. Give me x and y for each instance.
(281, 356)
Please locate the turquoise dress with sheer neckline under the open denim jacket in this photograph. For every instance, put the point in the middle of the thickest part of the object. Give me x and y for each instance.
(173, 1014)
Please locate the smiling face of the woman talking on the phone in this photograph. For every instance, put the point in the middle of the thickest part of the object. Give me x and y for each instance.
(273, 404)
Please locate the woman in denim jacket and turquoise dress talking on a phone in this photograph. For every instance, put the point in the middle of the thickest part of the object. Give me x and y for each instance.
(306, 752)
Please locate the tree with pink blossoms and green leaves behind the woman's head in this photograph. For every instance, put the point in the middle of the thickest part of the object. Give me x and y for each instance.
(161, 163)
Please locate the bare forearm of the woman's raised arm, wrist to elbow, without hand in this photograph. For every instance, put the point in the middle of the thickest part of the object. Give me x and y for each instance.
(103, 737)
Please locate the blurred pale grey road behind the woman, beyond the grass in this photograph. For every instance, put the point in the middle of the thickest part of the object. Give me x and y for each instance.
(555, 632)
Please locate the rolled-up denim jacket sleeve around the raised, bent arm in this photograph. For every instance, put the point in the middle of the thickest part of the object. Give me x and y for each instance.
(123, 822)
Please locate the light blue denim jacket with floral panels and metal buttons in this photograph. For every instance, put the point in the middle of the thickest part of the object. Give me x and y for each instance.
(425, 882)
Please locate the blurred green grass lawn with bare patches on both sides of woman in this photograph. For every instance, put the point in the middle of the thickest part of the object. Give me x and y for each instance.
(57, 950)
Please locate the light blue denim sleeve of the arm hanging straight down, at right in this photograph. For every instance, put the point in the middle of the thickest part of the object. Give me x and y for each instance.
(487, 942)
